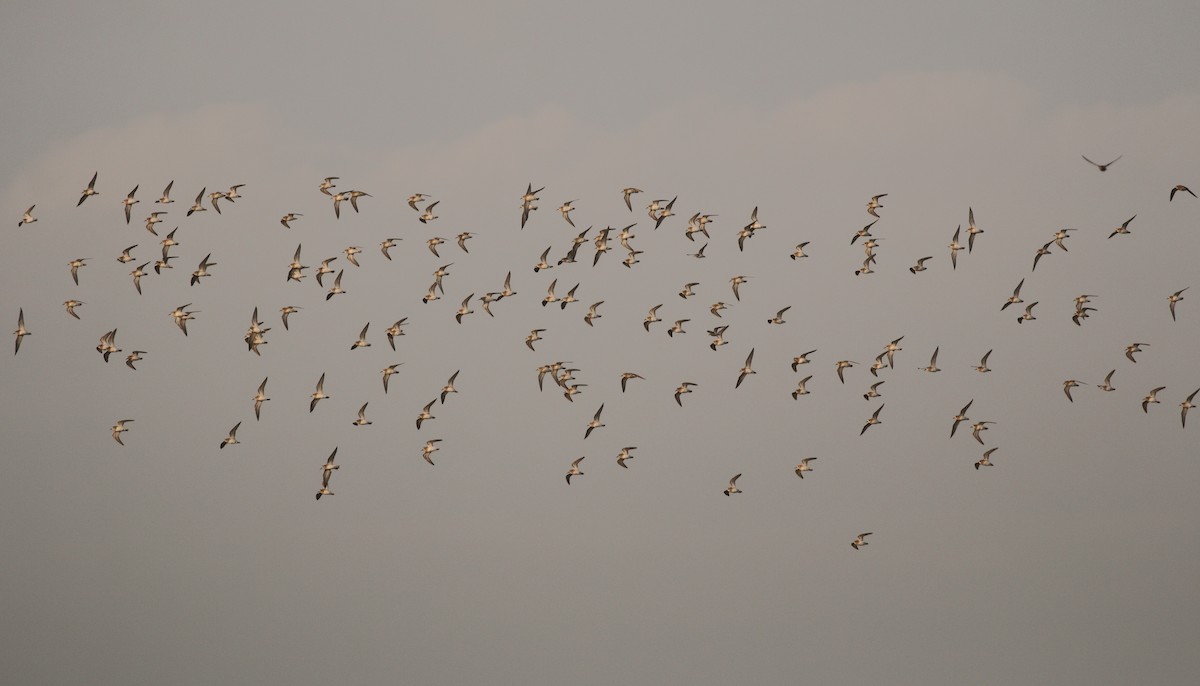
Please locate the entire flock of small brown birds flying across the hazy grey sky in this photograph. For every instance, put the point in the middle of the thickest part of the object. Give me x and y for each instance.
(561, 372)
